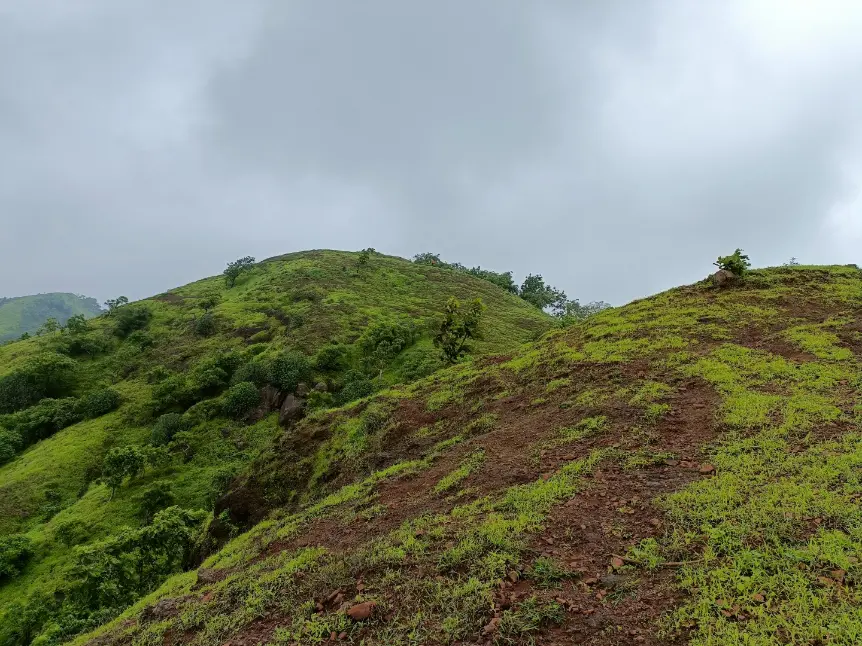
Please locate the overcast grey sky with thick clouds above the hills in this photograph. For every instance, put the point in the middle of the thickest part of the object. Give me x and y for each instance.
(615, 147)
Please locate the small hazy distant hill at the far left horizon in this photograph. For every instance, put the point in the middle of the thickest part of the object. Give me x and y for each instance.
(26, 314)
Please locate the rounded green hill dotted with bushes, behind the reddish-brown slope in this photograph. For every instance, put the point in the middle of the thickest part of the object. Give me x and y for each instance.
(119, 435)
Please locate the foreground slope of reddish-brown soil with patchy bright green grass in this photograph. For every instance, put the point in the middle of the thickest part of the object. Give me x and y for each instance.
(684, 469)
